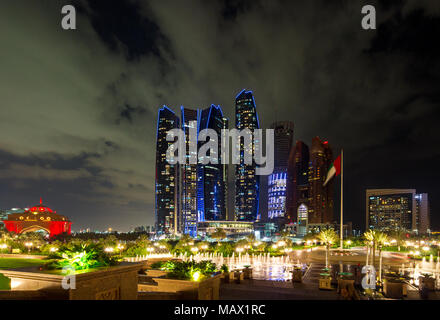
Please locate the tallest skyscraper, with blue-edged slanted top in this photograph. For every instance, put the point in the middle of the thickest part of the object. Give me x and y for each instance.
(247, 184)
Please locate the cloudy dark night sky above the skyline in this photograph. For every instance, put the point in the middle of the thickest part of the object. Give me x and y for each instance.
(78, 108)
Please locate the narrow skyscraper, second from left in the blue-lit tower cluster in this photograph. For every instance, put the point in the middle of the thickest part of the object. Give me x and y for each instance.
(188, 174)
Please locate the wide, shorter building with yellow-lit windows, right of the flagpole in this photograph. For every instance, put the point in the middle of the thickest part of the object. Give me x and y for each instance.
(393, 210)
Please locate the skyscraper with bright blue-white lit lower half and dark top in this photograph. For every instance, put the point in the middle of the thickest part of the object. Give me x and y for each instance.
(283, 140)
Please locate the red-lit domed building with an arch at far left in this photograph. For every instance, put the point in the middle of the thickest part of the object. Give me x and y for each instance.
(38, 218)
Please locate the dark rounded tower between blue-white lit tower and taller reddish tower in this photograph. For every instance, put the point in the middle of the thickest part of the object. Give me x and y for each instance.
(298, 182)
